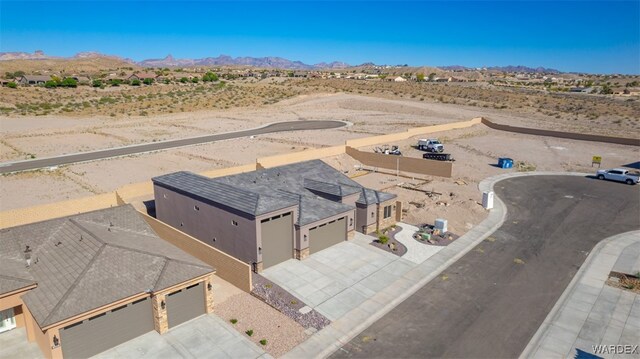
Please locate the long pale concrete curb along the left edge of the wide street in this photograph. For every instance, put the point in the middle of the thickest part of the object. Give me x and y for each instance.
(494, 221)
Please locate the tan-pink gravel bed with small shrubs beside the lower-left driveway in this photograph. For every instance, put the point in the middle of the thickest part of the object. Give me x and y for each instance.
(264, 323)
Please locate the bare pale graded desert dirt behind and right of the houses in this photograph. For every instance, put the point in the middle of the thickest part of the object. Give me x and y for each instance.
(475, 149)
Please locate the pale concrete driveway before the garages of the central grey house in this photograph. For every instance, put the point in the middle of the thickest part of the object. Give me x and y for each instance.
(340, 278)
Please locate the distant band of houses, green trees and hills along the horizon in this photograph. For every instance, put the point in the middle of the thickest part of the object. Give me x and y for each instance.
(158, 72)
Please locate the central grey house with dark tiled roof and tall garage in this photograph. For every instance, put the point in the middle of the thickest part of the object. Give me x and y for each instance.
(271, 215)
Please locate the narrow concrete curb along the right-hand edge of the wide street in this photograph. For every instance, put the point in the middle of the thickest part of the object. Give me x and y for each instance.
(536, 340)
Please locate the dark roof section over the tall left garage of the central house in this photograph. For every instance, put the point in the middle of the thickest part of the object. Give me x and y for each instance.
(234, 197)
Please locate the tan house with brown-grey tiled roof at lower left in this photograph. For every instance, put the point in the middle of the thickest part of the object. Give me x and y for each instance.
(82, 284)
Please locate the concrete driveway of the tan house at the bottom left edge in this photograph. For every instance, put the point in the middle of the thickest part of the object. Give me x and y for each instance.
(205, 337)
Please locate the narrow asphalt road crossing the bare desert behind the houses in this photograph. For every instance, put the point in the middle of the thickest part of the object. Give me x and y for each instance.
(9, 167)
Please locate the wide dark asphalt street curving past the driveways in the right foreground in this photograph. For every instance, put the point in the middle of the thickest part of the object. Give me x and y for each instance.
(495, 297)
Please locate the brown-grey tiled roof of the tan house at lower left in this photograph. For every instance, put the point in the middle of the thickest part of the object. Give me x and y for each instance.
(90, 260)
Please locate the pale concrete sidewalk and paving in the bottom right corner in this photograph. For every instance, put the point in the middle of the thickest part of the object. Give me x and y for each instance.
(591, 313)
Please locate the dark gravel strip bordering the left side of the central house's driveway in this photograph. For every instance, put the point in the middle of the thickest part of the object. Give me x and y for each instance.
(287, 304)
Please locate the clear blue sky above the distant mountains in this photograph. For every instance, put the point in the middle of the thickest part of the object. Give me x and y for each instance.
(592, 36)
